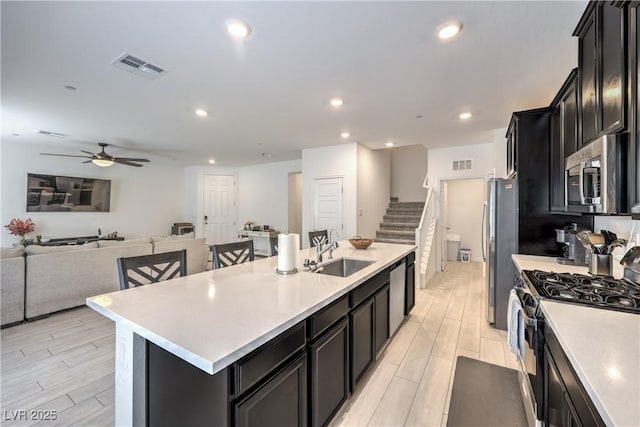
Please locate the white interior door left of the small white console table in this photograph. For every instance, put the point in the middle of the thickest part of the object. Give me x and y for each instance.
(220, 209)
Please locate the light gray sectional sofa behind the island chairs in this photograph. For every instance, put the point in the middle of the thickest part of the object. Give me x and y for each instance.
(61, 277)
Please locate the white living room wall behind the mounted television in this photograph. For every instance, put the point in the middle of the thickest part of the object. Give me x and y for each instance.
(144, 201)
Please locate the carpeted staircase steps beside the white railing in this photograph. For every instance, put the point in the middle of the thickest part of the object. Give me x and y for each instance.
(400, 223)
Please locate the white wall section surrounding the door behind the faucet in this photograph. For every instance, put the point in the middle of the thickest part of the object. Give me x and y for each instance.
(330, 162)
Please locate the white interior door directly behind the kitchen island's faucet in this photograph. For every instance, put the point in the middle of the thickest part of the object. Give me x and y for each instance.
(327, 206)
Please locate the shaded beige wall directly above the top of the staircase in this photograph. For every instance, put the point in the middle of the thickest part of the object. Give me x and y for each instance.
(408, 169)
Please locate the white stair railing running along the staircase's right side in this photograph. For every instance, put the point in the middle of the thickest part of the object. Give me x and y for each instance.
(425, 238)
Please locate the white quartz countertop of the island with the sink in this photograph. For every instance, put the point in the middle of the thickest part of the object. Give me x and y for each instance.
(212, 319)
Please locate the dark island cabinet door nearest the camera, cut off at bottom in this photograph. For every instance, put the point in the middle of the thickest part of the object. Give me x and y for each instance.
(281, 401)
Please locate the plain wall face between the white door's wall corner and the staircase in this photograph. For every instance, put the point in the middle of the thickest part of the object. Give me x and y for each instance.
(373, 189)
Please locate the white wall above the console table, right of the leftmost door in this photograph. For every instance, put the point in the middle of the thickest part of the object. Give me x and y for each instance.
(263, 193)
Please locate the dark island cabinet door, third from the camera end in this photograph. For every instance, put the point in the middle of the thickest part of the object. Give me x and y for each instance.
(362, 340)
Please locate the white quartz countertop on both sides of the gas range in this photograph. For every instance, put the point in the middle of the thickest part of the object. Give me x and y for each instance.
(603, 347)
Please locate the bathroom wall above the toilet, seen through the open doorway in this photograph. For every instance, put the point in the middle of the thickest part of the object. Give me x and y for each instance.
(464, 213)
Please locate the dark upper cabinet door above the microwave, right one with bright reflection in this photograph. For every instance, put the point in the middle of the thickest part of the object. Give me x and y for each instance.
(612, 80)
